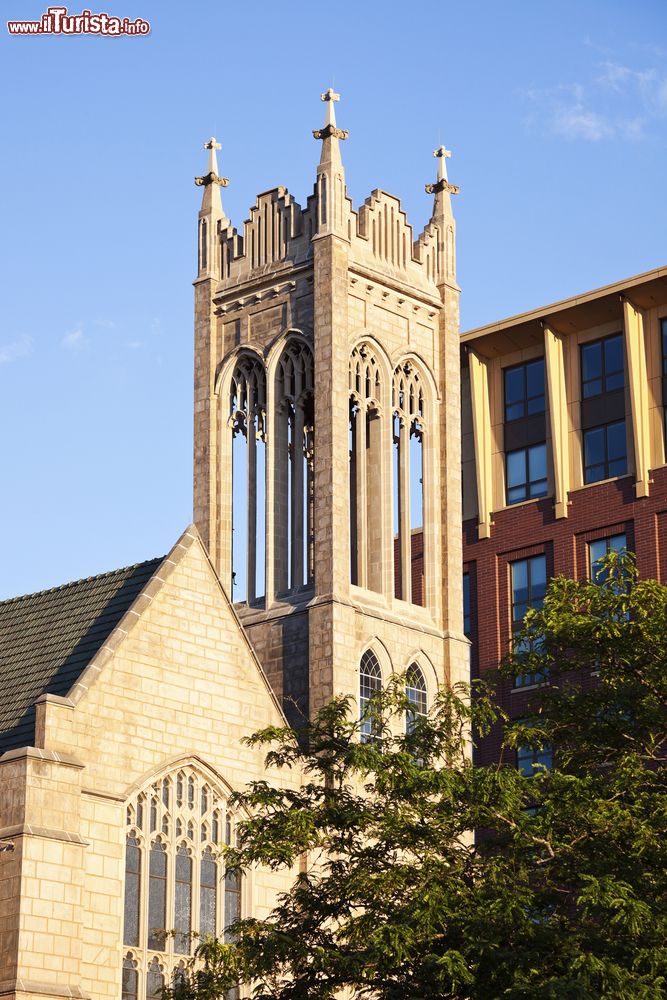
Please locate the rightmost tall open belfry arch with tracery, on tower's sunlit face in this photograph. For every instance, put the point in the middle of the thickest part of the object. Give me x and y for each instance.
(408, 429)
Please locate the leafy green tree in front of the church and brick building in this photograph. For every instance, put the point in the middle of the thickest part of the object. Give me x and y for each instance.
(563, 893)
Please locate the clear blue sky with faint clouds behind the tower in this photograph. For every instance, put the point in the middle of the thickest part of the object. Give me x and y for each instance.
(557, 117)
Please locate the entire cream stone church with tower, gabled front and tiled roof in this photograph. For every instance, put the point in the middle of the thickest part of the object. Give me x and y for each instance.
(326, 555)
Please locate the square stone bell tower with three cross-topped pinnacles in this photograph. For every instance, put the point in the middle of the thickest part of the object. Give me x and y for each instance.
(327, 432)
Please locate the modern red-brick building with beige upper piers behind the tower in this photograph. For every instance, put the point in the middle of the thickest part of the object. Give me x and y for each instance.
(563, 424)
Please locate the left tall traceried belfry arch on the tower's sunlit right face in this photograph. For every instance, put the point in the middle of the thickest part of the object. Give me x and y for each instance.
(365, 452)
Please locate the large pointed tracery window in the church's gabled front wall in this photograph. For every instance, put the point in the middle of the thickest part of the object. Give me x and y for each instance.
(176, 888)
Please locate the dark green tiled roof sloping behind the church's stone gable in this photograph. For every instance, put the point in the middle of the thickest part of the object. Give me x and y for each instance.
(48, 639)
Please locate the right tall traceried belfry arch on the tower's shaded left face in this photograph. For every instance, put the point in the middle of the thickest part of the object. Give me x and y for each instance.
(295, 442)
